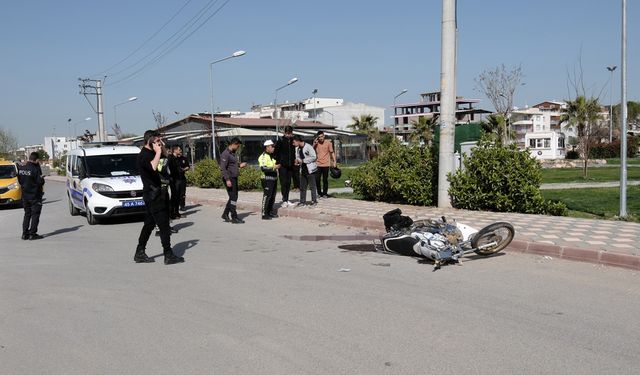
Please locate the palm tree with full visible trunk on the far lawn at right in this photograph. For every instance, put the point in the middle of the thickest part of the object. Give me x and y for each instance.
(584, 115)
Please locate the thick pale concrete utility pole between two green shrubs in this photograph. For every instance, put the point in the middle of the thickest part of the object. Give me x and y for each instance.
(447, 101)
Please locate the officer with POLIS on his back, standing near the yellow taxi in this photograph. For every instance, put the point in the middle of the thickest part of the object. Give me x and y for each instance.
(32, 182)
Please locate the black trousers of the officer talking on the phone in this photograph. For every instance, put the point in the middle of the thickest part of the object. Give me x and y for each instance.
(156, 213)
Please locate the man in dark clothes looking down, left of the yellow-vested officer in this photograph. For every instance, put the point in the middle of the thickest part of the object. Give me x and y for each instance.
(230, 168)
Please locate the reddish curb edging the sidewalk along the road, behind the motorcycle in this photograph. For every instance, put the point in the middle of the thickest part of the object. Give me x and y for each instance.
(519, 246)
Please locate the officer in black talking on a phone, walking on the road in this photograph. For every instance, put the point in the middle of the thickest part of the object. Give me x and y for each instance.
(155, 195)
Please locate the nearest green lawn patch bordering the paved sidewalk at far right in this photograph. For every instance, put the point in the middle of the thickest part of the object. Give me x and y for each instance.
(603, 203)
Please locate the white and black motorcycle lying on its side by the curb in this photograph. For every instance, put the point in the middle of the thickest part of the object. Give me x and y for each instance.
(441, 240)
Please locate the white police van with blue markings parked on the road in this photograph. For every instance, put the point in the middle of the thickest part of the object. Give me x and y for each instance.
(103, 181)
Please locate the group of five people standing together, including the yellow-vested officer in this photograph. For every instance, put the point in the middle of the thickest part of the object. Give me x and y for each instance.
(289, 159)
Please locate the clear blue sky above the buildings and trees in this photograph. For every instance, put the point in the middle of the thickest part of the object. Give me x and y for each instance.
(361, 51)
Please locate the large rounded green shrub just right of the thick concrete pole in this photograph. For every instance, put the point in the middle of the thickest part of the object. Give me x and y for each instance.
(503, 179)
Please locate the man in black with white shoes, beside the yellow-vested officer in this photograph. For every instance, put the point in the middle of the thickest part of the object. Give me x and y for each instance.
(285, 154)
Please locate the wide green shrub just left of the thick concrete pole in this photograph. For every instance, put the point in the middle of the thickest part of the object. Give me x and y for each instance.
(400, 174)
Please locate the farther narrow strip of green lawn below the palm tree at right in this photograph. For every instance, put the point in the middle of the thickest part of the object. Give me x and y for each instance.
(594, 174)
